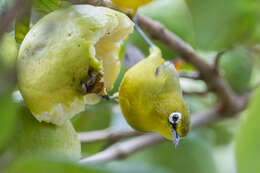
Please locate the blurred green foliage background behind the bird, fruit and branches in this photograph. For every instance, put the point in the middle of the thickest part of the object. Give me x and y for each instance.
(228, 146)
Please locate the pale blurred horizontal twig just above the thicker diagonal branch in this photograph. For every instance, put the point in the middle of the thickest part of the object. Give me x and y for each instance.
(111, 134)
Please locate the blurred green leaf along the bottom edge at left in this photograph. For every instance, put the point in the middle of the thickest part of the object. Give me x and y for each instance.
(43, 164)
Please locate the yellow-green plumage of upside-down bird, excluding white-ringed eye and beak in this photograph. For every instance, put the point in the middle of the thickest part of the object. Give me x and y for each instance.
(149, 93)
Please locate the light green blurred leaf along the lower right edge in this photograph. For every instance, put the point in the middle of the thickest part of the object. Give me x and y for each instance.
(248, 138)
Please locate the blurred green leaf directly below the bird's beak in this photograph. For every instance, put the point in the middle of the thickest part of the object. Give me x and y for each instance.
(194, 154)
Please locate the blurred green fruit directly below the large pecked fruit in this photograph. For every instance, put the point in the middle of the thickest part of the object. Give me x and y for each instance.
(33, 136)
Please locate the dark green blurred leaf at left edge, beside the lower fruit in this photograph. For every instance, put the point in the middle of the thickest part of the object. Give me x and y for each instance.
(7, 118)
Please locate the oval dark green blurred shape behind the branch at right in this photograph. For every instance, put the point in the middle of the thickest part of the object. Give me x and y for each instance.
(236, 66)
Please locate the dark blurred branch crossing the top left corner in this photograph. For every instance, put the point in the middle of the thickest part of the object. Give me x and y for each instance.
(8, 16)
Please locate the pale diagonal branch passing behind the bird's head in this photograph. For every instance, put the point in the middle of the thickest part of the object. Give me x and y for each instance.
(122, 150)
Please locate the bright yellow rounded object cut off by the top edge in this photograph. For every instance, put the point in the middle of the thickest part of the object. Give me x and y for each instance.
(134, 4)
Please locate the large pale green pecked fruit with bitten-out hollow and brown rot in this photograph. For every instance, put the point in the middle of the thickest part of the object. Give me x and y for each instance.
(68, 58)
